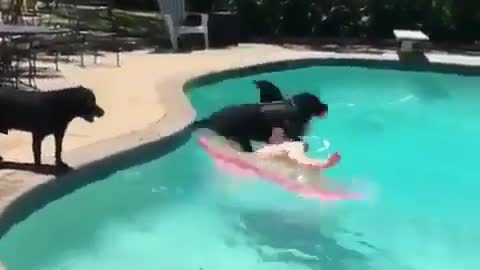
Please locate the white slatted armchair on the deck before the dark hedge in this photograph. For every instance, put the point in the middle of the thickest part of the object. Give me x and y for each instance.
(174, 14)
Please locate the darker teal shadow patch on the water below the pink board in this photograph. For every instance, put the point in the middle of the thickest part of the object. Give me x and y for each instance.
(282, 237)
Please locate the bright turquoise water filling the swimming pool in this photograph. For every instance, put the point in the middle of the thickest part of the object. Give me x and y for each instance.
(410, 139)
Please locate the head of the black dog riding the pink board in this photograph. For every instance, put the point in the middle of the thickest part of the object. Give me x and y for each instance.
(309, 105)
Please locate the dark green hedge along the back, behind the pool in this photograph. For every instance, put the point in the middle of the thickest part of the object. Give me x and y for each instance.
(446, 20)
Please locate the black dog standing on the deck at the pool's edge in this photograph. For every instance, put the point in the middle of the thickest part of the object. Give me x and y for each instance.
(46, 113)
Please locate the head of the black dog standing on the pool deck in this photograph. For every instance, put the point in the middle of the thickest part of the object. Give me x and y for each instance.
(87, 107)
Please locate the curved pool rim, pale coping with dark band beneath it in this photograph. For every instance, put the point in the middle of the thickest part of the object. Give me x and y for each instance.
(106, 157)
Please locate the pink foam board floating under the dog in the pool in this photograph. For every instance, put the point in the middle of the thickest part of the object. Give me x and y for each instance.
(287, 174)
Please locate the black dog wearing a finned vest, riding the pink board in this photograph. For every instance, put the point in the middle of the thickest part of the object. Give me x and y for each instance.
(247, 122)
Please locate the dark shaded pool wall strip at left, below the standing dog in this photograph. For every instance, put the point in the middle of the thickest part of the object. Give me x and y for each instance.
(50, 191)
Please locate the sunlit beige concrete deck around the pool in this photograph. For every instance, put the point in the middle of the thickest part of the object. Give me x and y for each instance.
(144, 102)
